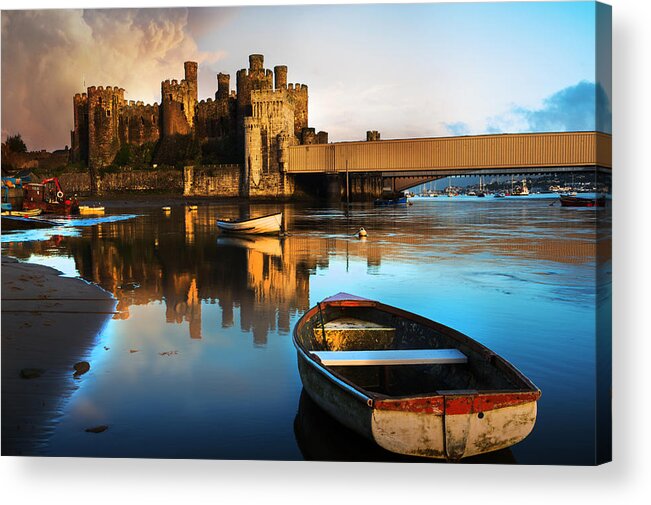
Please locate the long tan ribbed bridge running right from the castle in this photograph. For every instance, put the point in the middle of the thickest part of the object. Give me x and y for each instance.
(405, 163)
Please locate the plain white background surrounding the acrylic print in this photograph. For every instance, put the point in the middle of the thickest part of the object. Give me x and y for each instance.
(626, 480)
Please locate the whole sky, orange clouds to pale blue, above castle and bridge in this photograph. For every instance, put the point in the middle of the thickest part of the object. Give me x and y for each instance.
(406, 70)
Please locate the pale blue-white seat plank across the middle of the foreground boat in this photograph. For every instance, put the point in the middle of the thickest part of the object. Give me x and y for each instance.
(391, 357)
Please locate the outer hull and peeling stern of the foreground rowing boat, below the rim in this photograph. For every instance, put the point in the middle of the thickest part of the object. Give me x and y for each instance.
(425, 432)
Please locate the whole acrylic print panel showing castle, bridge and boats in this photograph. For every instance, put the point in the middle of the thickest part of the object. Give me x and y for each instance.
(447, 167)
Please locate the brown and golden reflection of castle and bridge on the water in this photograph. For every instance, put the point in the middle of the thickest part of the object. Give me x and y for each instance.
(179, 258)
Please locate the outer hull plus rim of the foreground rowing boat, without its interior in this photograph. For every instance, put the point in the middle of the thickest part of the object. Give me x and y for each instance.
(448, 425)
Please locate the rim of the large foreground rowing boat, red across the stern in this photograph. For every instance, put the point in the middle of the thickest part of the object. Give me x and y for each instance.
(378, 400)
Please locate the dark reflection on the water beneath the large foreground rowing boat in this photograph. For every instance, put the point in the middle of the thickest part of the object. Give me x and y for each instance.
(322, 438)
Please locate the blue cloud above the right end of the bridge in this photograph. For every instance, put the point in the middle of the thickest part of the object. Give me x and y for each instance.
(582, 107)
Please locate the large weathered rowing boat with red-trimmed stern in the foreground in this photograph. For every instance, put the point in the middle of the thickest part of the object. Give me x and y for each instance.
(410, 384)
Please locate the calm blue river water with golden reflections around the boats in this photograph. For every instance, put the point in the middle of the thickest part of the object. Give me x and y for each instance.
(199, 363)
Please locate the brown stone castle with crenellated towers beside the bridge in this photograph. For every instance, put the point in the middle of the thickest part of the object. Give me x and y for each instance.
(258, 121)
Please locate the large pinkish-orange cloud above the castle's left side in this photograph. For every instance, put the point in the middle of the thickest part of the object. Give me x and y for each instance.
(49, 55)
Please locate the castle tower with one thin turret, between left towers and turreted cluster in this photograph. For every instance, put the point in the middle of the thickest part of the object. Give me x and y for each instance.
(178, 102)
